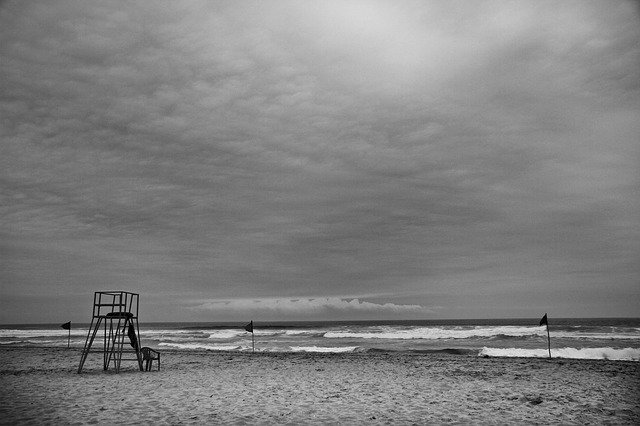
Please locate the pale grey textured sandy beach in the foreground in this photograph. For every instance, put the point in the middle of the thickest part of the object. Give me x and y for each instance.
(40, 385)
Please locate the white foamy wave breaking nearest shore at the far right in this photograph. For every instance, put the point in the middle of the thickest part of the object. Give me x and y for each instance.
(624, 354)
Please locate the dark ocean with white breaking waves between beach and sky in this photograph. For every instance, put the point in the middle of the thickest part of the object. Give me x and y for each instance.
(586, 338)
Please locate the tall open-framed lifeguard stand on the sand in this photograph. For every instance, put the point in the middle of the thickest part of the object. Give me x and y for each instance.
(118, 311)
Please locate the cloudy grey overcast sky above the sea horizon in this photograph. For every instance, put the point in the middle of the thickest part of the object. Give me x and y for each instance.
(320, 159)
